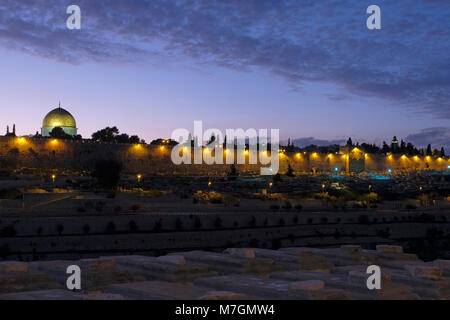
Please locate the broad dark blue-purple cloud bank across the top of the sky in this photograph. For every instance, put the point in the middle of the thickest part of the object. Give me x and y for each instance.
(406, 62)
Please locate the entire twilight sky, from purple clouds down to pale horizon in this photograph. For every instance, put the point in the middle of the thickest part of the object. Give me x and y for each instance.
(309, 68)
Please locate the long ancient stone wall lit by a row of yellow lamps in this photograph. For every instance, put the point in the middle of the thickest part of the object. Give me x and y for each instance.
(146, 159)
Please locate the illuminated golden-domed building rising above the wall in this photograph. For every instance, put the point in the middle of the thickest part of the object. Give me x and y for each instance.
(61, 118)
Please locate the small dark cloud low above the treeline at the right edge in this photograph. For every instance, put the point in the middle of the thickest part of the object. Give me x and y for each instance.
(437, 137)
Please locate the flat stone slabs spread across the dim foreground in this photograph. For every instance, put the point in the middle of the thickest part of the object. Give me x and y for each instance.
(247, 274)
